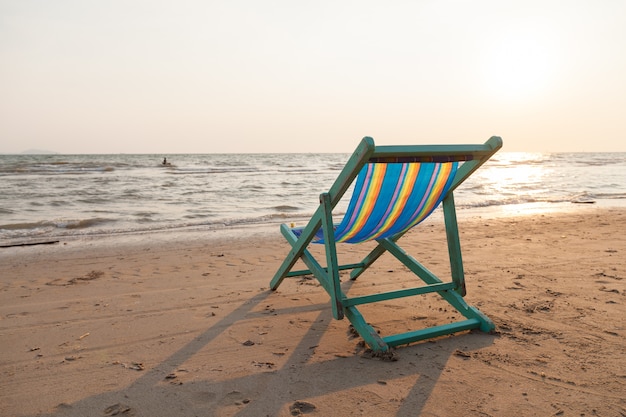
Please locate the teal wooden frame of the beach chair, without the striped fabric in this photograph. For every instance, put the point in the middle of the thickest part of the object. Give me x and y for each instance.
(342, 306)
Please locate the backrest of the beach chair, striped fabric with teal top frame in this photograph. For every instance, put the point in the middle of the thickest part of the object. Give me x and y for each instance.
(397, 187)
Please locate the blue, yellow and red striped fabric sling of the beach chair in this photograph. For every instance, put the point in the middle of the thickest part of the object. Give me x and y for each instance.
(391, 198)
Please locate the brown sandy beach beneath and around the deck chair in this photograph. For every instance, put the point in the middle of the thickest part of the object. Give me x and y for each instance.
(188, 327)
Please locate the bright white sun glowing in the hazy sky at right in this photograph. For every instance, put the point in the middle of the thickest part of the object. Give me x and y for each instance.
(520, 64)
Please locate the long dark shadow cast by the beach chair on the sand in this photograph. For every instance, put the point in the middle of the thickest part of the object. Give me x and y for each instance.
(277, 391)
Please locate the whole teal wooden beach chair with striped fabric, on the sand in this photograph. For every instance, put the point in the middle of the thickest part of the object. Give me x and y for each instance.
(396, 188)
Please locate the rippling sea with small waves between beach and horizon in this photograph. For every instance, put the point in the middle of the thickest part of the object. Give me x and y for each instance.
(53, 196)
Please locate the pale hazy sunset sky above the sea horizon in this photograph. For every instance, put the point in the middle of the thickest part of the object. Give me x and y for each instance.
(204, 76)
